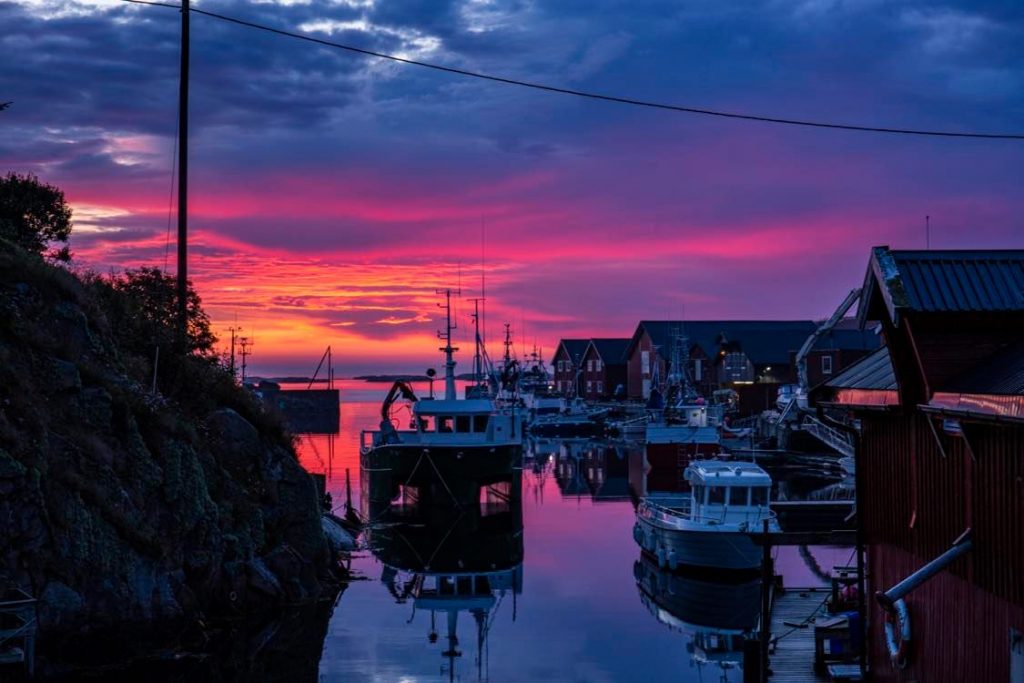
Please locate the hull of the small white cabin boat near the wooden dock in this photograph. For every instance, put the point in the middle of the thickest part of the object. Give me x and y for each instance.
(712, 549)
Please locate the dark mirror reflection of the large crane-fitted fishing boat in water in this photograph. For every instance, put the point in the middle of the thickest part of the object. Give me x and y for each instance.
(446, 561)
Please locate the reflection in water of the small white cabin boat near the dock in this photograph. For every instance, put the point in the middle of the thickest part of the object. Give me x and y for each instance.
(716, 617)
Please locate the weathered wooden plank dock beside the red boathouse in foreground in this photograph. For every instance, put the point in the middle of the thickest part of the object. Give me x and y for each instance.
(793, 615)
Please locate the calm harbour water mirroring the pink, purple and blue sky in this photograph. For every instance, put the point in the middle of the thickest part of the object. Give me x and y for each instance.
(580, 608)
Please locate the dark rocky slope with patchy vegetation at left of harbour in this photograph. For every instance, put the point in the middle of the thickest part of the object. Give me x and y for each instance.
(127, 507)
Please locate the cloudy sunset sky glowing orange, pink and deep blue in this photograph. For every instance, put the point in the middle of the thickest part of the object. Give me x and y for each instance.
(332, 195)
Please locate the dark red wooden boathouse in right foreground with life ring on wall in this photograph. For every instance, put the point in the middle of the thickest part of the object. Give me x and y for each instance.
(941, 462)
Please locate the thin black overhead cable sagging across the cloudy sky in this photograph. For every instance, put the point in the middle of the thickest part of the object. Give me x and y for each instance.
(587, 95)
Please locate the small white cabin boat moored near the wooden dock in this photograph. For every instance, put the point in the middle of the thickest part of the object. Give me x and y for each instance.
(711, 526)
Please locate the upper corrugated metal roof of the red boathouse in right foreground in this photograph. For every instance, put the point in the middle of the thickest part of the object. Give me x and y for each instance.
(957, 281)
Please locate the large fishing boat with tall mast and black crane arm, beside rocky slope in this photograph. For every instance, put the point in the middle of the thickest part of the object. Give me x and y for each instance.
(477, 440)
